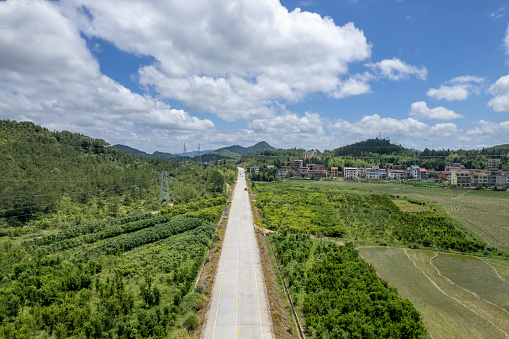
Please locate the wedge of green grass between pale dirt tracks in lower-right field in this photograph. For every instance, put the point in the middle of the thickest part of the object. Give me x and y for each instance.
(476, 276)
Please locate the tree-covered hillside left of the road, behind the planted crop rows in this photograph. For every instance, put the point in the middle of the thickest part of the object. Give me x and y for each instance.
(77, 178)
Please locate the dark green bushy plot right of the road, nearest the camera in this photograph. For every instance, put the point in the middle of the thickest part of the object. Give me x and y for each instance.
(340, 294)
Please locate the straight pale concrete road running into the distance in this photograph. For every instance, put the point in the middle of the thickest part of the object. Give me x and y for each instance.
(239, 307)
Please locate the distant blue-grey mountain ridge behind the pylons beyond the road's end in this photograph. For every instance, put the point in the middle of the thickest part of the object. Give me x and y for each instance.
(229, 152)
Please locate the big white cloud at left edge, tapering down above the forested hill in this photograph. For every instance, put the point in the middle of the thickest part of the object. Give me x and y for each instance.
(50, 77)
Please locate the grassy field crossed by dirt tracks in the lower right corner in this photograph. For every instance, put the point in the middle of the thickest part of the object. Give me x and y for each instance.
(448, 309)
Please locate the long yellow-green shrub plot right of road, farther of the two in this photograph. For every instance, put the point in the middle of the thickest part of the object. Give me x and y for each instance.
(363, 217)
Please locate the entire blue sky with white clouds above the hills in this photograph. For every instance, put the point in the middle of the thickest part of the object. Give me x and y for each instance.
(314, 74)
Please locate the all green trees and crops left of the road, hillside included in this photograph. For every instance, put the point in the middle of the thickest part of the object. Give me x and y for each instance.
(83, 250)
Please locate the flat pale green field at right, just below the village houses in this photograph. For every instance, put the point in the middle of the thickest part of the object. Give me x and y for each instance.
(485, 213)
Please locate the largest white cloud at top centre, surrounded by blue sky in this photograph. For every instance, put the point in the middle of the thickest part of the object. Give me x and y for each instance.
(234, 59)
